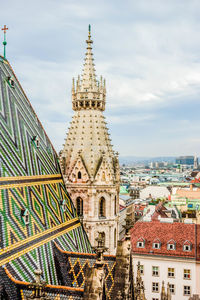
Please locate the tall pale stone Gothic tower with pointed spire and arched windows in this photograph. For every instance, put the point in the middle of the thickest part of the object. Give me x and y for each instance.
(89, 164)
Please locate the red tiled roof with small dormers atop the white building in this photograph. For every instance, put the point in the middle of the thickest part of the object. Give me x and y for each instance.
(179, 232)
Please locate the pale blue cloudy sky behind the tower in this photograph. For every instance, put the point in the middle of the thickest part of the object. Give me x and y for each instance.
(148, 51)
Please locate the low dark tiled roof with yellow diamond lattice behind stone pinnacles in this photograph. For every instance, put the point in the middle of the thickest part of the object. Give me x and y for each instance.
(73, 266)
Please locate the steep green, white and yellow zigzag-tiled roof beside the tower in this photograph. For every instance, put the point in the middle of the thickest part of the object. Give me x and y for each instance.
(35, 208)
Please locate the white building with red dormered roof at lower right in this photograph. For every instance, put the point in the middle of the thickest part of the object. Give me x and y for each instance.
(167, 250)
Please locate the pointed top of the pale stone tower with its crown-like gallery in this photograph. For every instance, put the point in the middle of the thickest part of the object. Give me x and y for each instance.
(89, 93)
